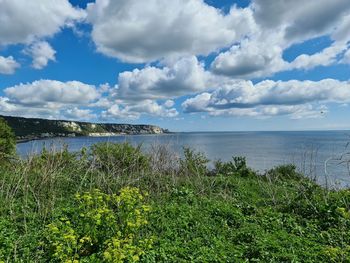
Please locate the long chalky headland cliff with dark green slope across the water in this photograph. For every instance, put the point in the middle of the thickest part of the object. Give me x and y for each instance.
(33, 128)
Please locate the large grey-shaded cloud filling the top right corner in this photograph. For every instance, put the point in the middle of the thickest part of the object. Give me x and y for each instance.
(300, 19)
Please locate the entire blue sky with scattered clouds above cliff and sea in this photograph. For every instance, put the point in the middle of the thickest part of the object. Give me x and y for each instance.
(185, 65)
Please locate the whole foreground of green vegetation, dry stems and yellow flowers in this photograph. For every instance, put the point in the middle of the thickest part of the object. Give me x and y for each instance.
(114, 203)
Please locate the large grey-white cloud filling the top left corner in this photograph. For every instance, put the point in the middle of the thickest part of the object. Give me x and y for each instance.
(24, 21)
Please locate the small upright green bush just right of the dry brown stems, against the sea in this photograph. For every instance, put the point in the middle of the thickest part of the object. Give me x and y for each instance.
(193, 163)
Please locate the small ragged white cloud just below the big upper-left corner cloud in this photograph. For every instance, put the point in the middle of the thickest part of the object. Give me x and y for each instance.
(42, 53)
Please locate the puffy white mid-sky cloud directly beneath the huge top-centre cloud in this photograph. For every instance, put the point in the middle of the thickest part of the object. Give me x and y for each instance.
(182, 77)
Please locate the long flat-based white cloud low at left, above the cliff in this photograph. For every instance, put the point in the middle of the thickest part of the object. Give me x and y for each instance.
(52, 93)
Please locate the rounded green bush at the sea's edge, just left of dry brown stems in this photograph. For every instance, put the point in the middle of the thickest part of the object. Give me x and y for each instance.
(119, 158)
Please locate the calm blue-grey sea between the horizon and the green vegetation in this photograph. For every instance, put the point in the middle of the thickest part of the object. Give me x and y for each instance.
(309, 150)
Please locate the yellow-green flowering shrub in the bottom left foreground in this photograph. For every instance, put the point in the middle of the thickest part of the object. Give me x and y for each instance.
(100, 227)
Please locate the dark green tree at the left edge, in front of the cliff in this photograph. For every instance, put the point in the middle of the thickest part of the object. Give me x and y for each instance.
(7, 140)
